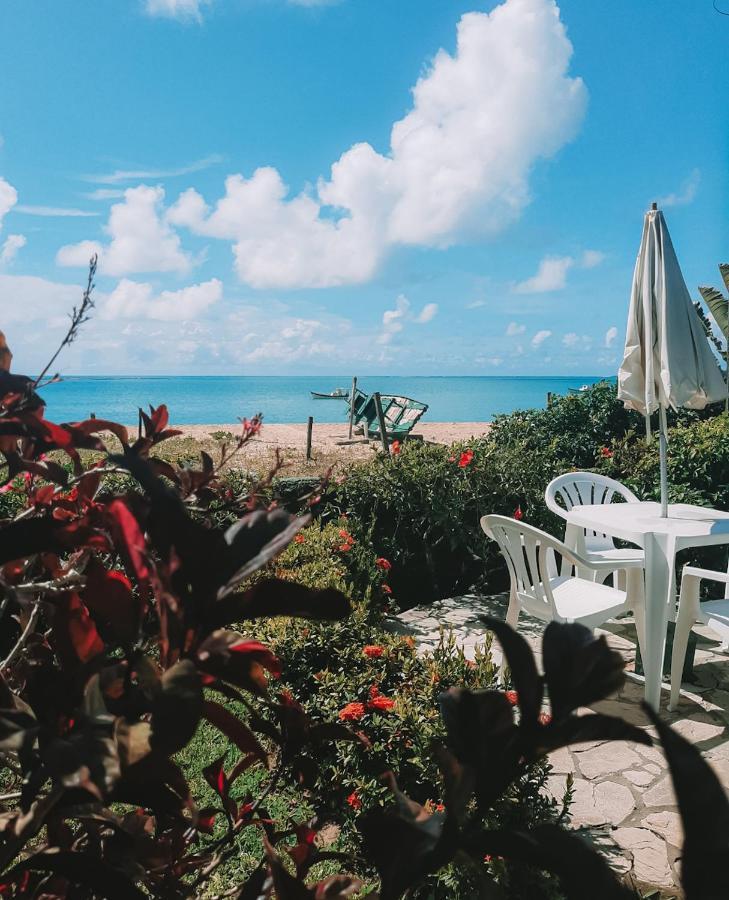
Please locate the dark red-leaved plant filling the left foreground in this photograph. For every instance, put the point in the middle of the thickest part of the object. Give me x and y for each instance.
(116, 609)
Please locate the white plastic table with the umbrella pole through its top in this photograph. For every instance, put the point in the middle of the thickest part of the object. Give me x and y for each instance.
(660, 539)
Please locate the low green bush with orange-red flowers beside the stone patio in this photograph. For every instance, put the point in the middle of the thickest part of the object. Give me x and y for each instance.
(373, 681)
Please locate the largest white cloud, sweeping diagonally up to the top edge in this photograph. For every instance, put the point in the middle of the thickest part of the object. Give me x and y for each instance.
(459, 162)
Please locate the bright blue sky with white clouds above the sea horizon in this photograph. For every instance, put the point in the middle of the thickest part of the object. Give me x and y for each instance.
(419, 187)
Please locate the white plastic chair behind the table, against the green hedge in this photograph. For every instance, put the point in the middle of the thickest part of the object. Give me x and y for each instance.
(587, 488)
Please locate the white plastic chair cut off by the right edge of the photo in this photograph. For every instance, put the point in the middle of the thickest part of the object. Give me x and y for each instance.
(691, 611)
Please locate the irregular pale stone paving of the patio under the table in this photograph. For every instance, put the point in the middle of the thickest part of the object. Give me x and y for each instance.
(623, 798)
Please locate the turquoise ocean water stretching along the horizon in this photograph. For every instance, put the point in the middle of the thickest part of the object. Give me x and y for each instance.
(198, 400)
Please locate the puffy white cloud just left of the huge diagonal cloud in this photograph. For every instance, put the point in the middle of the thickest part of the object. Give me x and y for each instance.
(141, 240)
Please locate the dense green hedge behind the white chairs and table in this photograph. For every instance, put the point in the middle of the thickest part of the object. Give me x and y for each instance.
(422, 508)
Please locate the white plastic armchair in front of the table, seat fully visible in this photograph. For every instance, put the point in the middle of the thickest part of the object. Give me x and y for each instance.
(552, 594)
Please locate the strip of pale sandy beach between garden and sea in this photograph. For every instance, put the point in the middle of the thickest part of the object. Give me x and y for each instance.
(326, 449)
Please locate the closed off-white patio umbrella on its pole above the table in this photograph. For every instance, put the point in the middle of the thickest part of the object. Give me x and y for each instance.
(667, 359)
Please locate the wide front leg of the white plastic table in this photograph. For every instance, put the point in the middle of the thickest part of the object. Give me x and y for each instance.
(659, 577)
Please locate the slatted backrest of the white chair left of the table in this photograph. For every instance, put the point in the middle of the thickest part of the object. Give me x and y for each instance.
(530, 555)
